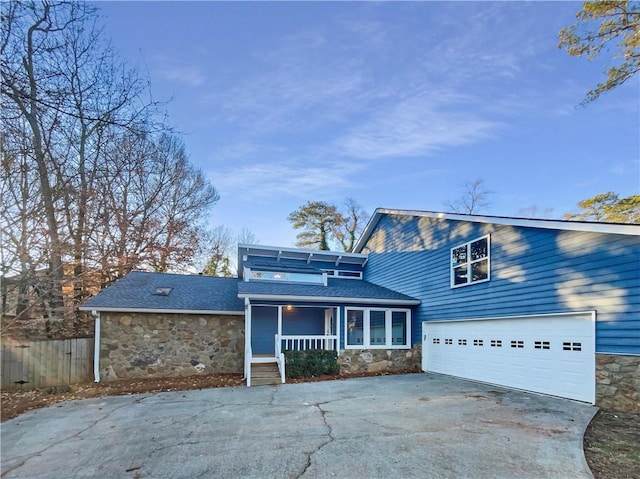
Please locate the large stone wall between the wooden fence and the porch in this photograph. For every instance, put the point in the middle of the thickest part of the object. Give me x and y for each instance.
(135, 345)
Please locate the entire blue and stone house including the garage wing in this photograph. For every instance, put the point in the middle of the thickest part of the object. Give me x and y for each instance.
(542, 305)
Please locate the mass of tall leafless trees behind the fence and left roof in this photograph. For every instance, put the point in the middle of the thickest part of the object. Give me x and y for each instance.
(92, 185)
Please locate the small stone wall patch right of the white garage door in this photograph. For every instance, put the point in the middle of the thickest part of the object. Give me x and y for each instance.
(618, 382)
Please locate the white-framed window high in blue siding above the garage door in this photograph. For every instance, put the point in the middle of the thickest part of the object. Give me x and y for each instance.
(470, 262)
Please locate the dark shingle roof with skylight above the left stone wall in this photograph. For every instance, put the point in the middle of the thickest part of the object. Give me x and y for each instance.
(188, 293)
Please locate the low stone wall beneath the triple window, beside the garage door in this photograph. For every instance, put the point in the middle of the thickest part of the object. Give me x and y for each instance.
(378, 360)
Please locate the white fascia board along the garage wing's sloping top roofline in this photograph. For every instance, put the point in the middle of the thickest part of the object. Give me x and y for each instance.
(563, 225)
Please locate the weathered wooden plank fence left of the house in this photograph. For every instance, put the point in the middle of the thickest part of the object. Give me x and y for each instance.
(30, 364)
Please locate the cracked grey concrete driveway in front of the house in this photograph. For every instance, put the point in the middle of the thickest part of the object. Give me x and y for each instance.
(416, 425)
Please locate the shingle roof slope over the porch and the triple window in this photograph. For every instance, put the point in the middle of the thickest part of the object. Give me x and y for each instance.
(350, 289)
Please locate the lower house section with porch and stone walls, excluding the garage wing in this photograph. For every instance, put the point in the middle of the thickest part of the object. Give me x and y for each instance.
(155, 324)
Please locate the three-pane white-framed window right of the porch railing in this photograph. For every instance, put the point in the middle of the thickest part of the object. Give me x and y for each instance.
(378, 328)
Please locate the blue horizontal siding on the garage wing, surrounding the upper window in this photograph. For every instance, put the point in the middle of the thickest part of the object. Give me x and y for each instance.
(533, 271)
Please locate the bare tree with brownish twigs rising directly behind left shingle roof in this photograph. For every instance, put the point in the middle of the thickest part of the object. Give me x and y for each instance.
(152, 215)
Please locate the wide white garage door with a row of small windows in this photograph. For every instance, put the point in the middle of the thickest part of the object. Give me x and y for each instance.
(552, 354)
